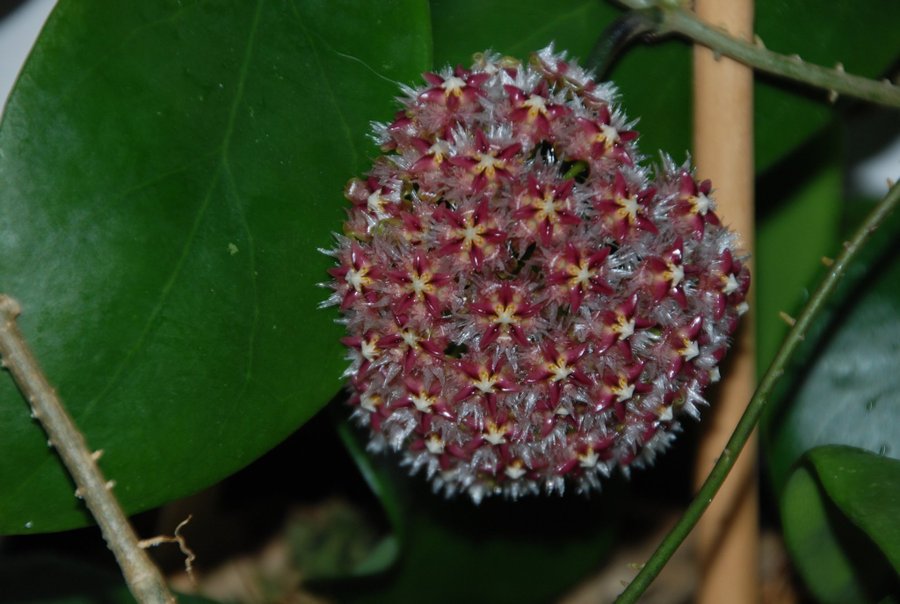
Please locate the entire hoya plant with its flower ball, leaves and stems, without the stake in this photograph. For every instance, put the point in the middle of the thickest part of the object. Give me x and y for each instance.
(464, 245)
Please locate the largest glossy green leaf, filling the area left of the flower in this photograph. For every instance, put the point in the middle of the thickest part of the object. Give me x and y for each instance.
(168, 172)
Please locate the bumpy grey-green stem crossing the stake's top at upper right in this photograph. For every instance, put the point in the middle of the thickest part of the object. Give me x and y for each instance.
(669, 17)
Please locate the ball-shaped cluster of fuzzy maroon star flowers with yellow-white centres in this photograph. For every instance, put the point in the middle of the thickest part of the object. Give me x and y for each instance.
(526, 304)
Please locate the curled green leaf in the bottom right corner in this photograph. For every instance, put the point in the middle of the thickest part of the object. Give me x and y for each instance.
(837, 560)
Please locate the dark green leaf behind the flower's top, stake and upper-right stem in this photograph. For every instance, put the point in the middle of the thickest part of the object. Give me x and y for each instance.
(655, 80)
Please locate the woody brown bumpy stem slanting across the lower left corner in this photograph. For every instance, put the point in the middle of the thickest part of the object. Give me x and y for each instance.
(142, 576)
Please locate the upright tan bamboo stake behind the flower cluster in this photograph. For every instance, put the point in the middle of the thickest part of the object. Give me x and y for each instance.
(727, 535)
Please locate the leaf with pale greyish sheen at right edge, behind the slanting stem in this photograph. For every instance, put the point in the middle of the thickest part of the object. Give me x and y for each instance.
(845, 389)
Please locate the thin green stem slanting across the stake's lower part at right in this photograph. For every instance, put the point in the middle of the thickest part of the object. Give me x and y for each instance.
(757, 403)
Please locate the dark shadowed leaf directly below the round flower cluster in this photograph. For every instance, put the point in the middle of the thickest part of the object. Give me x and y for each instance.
(530, 550)
